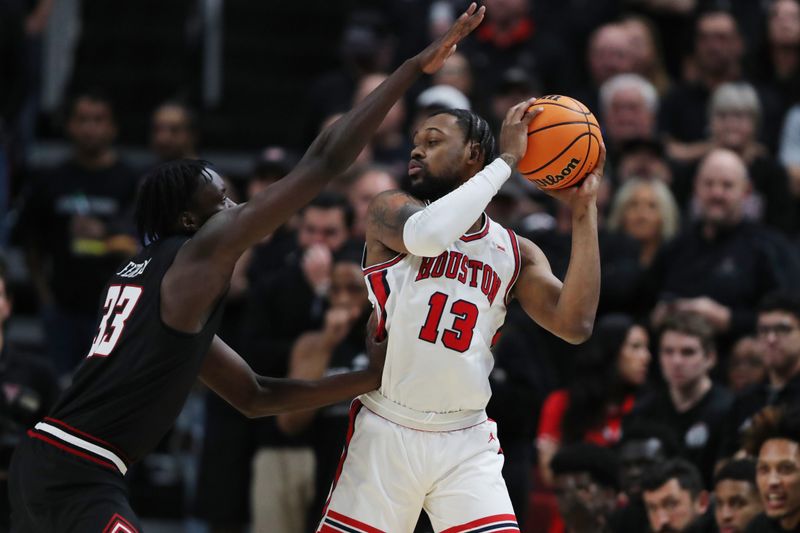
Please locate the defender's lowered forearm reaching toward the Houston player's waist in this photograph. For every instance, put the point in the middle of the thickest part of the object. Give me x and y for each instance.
(283, 395)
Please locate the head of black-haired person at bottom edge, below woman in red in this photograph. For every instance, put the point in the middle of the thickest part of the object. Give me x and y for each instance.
(586, 482)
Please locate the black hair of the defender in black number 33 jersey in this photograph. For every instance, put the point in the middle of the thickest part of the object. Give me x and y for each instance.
(165, 192)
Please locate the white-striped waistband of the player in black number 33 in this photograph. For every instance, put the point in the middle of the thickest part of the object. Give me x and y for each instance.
(76, 442)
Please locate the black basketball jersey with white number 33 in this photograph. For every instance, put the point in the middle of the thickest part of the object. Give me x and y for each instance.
(138, 372)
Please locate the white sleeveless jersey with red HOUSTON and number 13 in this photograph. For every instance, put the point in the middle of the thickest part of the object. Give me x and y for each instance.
(442, 315)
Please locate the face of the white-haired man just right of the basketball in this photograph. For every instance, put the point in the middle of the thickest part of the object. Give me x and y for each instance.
(628, 116)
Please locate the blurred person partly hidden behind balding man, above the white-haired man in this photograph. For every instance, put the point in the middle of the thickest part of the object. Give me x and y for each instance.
(646, 45)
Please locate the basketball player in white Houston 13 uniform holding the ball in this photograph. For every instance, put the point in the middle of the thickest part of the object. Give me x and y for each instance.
(440, 274)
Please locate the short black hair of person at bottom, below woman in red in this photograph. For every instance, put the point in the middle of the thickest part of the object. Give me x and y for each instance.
(601, 464)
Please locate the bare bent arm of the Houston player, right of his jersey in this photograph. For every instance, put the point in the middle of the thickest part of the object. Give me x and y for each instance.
(566, 309)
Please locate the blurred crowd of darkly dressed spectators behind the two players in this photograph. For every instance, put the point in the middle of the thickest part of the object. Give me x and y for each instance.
(656, 424)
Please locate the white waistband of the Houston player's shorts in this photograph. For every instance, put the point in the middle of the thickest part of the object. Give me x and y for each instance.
(421, 420)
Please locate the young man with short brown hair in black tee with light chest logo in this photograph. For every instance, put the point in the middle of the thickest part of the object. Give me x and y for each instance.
(690, 403)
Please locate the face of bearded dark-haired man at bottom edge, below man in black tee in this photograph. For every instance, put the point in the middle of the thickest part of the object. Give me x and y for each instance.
(671, 508)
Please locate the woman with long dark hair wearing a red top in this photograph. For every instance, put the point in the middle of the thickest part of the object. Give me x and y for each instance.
(607, 375)
